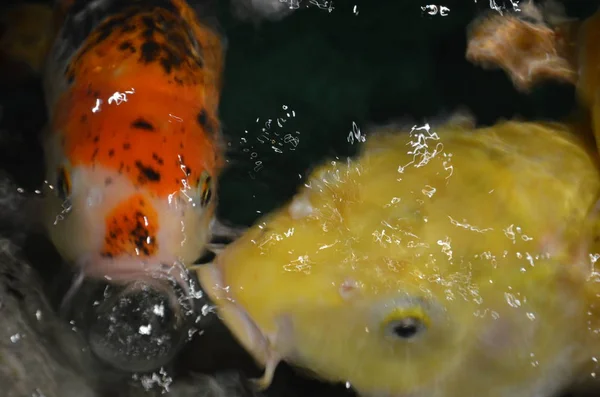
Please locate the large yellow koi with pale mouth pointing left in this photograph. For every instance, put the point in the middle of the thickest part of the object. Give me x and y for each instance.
(451, 263)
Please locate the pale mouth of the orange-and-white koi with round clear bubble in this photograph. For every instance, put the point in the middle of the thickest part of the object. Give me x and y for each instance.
(140, 320)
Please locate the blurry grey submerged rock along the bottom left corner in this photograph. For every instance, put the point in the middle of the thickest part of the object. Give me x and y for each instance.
(43, 355)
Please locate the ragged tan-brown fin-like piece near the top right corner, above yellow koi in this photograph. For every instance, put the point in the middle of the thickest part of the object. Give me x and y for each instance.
(528, 47)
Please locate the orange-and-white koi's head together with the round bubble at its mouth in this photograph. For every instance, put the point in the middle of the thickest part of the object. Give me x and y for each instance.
(130, 209)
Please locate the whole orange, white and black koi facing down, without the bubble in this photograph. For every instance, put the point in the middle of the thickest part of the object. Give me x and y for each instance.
(132, 149)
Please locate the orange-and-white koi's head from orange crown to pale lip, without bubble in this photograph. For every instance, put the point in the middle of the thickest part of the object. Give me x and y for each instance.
(123, 208)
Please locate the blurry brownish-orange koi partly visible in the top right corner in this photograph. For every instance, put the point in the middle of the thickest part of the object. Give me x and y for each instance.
(540, 45)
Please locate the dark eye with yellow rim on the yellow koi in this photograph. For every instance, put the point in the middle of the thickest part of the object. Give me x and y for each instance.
(405, 324)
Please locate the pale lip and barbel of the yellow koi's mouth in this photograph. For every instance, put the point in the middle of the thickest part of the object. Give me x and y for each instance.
(237, 319)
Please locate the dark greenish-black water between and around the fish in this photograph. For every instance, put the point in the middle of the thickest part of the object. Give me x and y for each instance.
(391, 62)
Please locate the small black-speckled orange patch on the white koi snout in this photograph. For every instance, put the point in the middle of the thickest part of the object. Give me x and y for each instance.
(131, 229)
